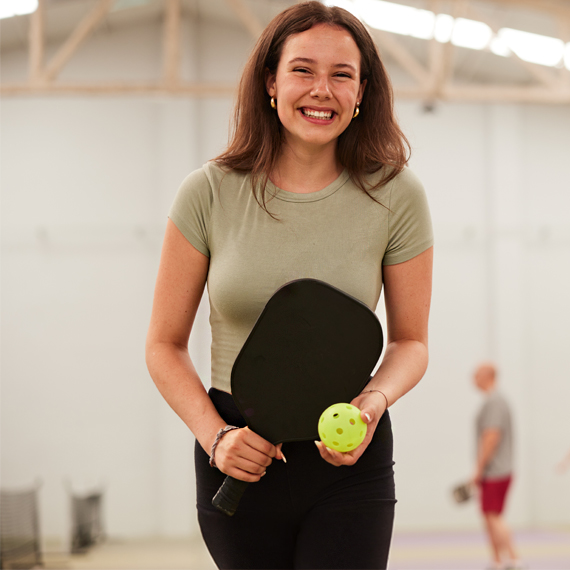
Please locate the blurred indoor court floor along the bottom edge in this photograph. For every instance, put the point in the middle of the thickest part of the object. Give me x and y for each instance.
(540, 550)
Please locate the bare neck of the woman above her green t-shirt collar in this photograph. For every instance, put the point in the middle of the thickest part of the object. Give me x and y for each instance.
(306, 170)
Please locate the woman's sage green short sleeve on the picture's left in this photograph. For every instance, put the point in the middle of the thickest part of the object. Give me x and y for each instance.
(191, 210)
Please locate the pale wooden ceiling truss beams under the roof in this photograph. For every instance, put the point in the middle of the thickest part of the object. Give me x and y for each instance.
(432, 81)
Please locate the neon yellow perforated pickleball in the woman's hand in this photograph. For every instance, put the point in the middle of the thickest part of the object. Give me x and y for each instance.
(341, 427)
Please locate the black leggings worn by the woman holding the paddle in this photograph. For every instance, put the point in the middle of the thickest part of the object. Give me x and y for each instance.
(305, 513)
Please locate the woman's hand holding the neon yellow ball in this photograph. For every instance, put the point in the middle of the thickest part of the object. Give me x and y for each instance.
(372, 406)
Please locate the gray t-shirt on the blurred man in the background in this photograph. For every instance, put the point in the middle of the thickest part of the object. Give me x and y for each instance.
(495, 414)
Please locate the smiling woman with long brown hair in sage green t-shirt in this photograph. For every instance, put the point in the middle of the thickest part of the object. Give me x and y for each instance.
(313, 184)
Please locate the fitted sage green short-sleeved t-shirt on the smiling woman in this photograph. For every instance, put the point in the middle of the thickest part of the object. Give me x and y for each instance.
(338, 235)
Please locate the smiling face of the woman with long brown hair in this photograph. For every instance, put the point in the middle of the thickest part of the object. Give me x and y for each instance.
(317, 85)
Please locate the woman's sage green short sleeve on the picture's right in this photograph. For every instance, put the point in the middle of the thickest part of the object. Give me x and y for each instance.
(410, 229)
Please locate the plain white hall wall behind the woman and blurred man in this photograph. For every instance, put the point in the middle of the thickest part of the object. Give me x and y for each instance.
(86, 186)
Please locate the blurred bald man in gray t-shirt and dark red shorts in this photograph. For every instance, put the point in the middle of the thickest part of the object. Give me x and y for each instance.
(494, 468)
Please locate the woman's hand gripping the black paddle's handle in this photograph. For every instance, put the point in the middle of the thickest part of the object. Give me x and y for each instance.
(244, 455)
